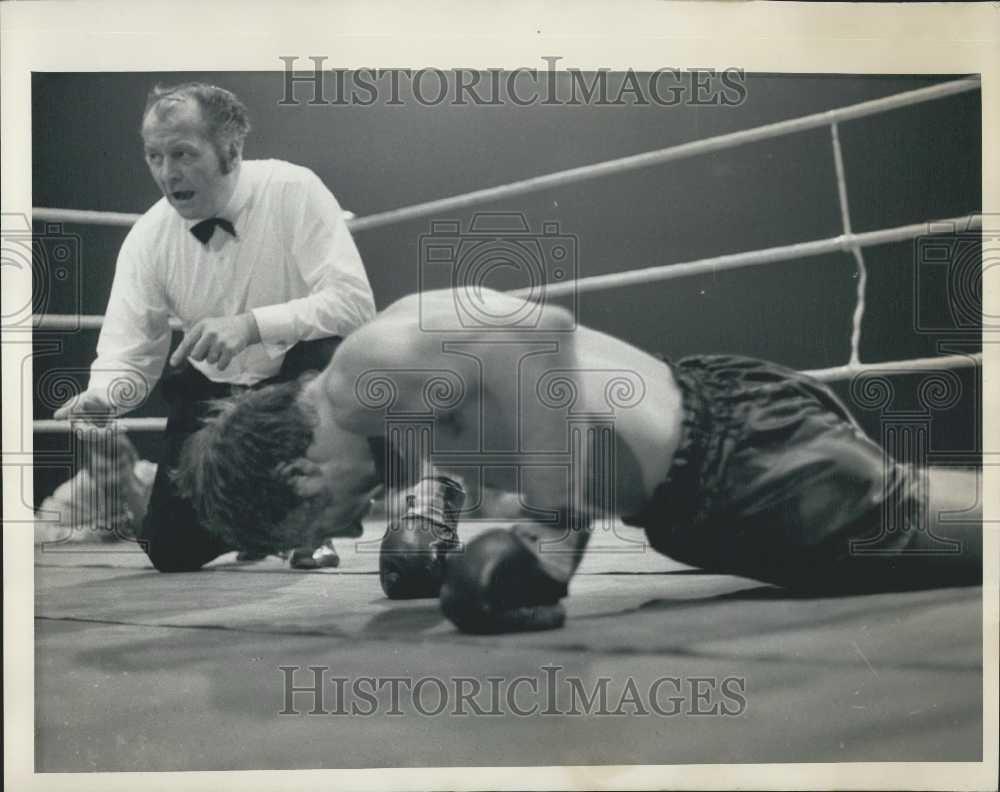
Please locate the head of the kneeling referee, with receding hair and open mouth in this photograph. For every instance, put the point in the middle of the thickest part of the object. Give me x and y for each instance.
(193, 137)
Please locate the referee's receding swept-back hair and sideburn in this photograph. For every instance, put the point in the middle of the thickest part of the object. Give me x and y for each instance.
(225, 116)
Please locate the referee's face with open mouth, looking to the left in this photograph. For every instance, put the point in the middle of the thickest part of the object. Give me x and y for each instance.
(184, 163)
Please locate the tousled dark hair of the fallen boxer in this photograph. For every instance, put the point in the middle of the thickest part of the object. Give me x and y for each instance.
(229, 469)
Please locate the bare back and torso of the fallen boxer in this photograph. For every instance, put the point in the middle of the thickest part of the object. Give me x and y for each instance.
(512, 396)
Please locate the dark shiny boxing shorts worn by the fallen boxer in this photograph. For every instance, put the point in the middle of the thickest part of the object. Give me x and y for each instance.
(774, 480)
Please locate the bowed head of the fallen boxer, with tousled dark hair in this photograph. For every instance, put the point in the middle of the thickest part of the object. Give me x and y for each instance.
(255, 478)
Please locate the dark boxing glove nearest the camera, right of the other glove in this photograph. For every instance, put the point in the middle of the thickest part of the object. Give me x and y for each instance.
(497, 585)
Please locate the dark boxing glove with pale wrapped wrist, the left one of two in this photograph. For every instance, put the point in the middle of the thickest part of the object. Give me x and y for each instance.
(413, 550)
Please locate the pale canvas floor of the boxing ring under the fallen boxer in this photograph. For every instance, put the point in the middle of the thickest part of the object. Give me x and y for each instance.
(137, 670)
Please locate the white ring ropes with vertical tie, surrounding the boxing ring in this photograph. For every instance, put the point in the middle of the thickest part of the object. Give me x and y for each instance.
(846, 241)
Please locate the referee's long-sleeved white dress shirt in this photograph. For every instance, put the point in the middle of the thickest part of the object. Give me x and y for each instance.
(292, 263)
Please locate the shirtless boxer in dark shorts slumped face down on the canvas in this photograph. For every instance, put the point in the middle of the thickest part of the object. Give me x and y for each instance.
(731, 464)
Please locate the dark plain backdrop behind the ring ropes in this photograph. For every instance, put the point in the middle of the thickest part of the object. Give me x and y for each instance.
(904, 166)
